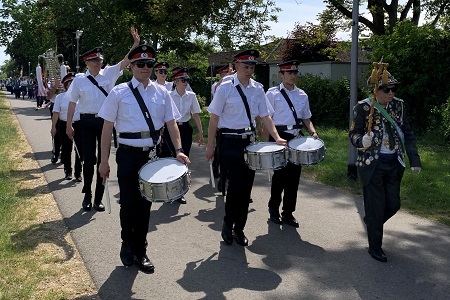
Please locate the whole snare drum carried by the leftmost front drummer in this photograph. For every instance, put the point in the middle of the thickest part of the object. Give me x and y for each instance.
(164, 180)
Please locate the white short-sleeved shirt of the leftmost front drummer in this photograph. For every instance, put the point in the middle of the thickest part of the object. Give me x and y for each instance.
(122, 108)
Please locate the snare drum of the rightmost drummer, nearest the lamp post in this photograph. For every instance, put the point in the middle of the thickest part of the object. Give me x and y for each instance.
(306, 151)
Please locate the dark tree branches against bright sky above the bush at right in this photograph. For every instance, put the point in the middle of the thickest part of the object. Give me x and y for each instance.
(385, 16)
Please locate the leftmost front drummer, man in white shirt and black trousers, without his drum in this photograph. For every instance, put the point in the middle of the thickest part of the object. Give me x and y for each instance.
(122, 109)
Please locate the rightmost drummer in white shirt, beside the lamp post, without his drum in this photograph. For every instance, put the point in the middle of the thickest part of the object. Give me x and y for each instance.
(291, 107)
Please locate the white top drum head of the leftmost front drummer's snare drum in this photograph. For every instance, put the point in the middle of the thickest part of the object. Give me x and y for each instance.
(162, 170)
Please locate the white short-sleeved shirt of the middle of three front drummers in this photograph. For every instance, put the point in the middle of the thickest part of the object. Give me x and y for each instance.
(229, 106)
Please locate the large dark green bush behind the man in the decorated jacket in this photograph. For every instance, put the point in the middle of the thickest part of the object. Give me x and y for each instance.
(423, 74)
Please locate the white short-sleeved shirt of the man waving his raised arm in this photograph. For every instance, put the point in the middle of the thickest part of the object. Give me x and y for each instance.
(89, 97)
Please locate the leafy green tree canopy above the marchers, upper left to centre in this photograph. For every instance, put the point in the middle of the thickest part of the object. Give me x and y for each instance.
(170, 25)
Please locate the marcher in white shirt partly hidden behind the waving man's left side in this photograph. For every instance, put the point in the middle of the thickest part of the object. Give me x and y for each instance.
(59, 124)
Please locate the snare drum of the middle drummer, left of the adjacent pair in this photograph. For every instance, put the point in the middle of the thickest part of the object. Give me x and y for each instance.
(265, 156)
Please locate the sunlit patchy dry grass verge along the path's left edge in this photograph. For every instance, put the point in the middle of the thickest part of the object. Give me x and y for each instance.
(38, 259)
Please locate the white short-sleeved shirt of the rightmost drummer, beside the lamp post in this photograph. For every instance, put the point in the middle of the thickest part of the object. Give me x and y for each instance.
(282, 114)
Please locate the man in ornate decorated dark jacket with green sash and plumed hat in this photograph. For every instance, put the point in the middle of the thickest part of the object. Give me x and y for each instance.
(381, 154)
